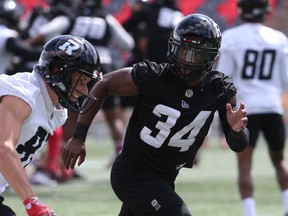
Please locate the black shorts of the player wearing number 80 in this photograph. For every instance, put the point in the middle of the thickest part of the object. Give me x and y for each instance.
(271, 125)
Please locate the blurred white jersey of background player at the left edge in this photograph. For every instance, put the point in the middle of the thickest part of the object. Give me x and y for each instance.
(5, 56)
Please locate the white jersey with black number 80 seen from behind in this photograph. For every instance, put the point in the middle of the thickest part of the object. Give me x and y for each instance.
(256, 58)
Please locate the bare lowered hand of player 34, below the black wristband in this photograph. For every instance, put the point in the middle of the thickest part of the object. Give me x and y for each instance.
(74, 149)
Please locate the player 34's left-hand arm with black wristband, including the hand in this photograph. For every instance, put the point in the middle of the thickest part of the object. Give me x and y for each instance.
(118, 82)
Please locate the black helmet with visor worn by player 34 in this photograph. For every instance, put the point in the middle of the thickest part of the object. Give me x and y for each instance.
(193, 46)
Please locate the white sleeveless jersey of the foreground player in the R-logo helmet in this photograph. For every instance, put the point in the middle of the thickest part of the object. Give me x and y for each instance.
(43, 120)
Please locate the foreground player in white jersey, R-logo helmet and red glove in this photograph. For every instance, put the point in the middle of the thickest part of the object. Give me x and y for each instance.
(33, 105)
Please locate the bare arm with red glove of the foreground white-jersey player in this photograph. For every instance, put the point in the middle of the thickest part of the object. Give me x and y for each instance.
(13, 113)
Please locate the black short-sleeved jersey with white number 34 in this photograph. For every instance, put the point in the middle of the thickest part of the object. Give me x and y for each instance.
(170, 119)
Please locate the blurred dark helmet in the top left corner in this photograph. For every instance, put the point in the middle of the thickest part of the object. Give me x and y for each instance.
(10, 13)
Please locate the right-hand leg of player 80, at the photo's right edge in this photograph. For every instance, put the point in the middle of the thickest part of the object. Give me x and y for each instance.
(274, 132)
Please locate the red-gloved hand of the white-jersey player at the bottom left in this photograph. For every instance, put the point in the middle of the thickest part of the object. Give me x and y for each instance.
(34, 207)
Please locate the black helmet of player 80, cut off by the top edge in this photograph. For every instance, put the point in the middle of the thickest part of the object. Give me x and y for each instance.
(253, 10)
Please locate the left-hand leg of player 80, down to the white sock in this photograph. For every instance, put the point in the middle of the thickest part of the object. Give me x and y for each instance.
(245, 180)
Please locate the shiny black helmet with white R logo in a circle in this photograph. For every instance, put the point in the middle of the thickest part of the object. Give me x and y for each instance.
(69, 54)
